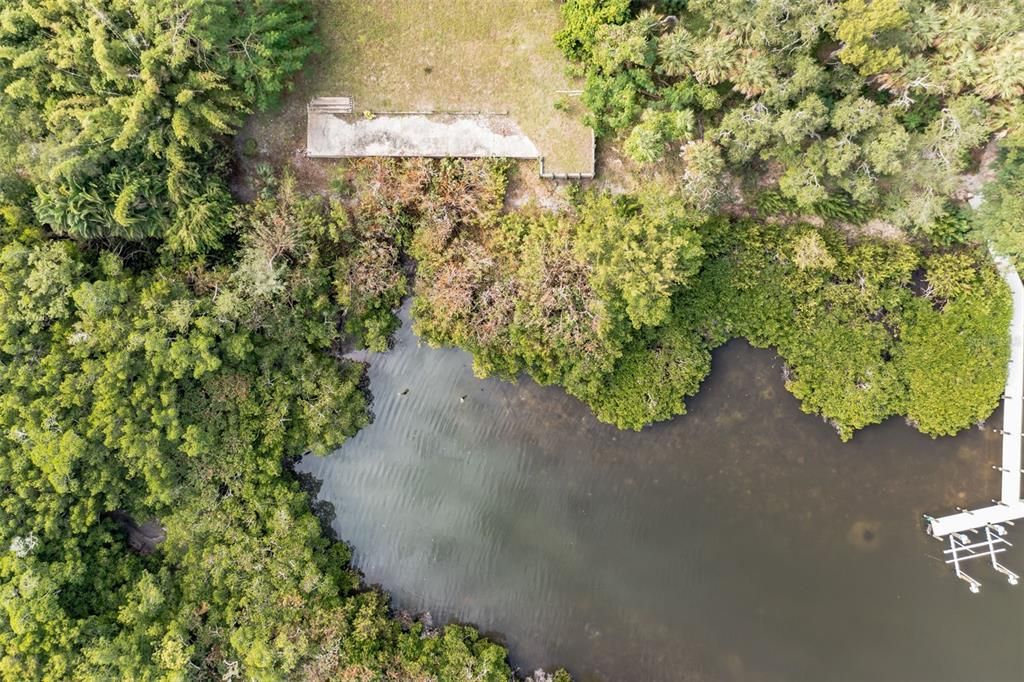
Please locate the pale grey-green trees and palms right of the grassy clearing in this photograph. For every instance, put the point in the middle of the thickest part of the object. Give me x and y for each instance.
(888, 125)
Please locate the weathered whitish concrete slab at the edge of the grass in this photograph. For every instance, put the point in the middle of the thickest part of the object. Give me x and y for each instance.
(339, 136)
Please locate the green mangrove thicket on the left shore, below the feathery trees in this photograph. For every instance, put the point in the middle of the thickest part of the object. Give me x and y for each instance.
(179, 394)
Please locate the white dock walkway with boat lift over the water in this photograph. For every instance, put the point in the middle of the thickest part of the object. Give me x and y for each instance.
(989, 525)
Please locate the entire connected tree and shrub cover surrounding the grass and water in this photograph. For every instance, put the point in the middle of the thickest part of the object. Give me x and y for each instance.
(166, 350)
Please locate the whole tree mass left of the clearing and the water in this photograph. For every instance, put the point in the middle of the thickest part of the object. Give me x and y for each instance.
(180, 390)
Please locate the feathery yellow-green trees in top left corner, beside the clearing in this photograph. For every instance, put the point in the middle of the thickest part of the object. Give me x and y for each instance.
(124, 103)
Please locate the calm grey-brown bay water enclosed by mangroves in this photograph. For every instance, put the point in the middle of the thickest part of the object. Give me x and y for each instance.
(740, 542)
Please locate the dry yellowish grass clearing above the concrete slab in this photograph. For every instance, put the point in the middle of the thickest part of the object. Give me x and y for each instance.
(490, 56)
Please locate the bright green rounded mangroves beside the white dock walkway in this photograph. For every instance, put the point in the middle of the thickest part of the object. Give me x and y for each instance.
(854, 334)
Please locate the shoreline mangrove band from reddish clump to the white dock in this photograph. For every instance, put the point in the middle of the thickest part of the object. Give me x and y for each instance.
(569, 302)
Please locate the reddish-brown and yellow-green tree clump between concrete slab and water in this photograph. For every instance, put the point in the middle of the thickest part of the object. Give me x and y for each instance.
(556, 296)
